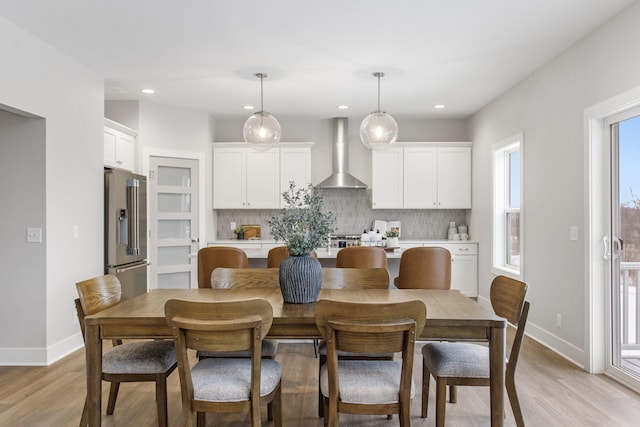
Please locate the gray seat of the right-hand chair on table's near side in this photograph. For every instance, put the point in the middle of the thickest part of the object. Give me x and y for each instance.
(370, 381)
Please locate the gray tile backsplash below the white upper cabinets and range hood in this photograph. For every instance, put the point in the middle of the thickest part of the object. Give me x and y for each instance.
(352, 208)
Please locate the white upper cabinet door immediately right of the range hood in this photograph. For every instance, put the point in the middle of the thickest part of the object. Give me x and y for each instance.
(386, 192)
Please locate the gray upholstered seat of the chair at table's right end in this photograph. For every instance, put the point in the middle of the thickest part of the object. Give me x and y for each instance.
(456, 359)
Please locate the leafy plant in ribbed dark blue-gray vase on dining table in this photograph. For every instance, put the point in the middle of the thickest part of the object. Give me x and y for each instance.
(303, 226)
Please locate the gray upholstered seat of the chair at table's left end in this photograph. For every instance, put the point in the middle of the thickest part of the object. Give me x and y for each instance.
(140, 357)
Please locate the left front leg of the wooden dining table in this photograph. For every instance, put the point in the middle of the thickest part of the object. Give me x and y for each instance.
(93, 352)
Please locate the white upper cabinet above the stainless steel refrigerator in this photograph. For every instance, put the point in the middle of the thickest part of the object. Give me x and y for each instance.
(119, 145)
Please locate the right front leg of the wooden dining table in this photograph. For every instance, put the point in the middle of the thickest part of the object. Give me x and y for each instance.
(496, 371)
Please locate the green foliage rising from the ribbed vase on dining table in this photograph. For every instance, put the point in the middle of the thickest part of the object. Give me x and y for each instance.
(302, 225)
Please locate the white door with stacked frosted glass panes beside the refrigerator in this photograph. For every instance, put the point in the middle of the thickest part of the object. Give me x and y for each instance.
(173, 221)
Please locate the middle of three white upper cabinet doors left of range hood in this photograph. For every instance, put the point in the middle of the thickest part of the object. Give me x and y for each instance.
(263, 179)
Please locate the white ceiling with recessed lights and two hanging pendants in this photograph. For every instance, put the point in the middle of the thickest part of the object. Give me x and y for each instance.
(203, 54)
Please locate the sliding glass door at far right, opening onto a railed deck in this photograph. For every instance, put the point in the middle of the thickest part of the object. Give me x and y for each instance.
(624, 299)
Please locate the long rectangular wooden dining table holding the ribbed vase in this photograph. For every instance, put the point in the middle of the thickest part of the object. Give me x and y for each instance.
(450, 316)
